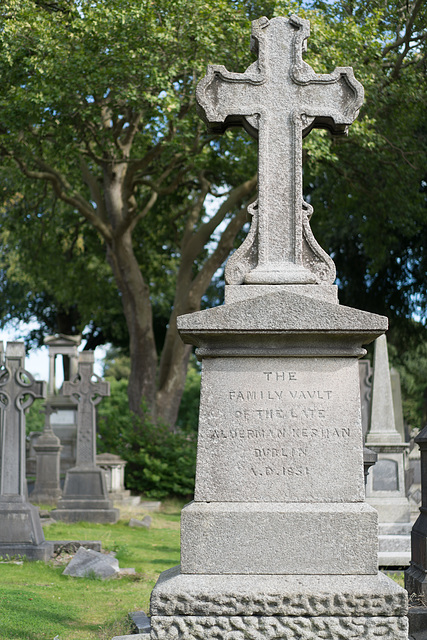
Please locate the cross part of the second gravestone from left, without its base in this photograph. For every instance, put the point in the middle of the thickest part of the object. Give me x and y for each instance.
(86, 393)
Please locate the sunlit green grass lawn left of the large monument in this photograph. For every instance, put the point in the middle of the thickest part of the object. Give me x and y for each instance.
(38, 603)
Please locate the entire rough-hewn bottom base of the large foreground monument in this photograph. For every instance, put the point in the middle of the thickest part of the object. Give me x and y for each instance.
(197, 607)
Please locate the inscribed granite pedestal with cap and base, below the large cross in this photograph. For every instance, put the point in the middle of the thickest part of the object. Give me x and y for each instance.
(279, 541)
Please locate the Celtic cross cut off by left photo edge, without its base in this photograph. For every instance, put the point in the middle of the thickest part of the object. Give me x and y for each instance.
(18, 390)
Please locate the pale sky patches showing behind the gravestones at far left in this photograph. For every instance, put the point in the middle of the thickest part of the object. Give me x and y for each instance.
(37, 360)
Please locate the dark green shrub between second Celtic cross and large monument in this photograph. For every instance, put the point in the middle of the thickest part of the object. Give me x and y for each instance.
(160, 462)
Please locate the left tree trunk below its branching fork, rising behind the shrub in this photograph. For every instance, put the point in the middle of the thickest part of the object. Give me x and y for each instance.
(138, 313)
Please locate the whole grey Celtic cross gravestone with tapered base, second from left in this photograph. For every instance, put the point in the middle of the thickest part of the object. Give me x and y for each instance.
(85, 495)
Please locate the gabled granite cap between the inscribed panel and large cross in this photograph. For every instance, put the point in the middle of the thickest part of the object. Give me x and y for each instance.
(282, 314)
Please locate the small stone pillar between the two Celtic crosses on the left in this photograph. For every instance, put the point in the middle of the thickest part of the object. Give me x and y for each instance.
(47, 488)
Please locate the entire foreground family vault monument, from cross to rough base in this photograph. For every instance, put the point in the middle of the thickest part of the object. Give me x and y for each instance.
(279, 542)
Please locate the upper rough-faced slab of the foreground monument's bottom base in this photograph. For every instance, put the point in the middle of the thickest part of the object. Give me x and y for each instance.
(178, 594)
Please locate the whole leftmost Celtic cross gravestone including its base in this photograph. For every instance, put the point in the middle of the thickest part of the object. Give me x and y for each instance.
(21, 533)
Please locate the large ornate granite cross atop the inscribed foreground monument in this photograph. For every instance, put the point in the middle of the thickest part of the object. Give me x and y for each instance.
(280, 99)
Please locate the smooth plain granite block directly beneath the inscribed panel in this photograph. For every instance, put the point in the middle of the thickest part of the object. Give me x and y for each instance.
(278, 538)
